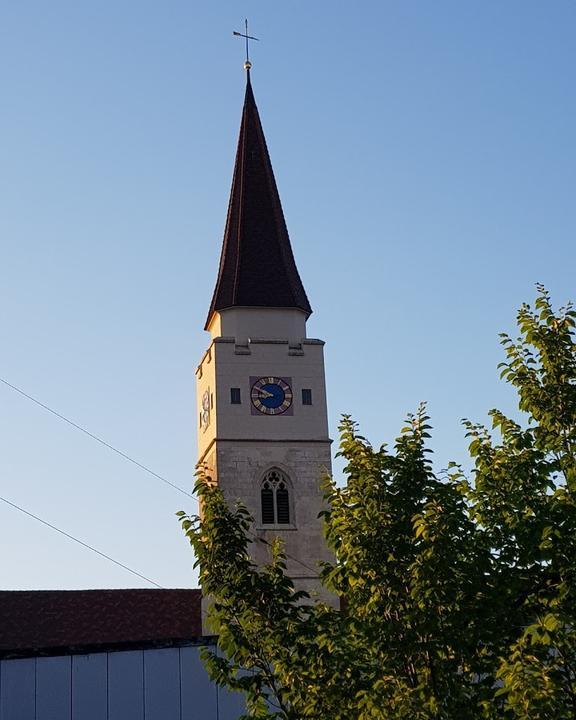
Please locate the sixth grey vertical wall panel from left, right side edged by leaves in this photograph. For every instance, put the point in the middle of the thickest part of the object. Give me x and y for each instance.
(198, 693)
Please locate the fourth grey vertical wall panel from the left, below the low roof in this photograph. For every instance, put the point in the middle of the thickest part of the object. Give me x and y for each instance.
(126, 685)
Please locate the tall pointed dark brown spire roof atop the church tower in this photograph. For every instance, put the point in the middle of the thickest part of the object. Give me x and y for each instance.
(257, 268)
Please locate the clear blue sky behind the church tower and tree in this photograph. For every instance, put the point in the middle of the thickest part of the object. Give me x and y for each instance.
(425, 156)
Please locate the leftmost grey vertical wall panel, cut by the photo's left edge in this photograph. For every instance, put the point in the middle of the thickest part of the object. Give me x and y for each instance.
(18, 687)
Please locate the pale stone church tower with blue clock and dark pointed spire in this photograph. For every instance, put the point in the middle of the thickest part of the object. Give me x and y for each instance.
(262, 419)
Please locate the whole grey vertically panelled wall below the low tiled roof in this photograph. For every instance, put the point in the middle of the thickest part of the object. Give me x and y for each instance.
(167, 684)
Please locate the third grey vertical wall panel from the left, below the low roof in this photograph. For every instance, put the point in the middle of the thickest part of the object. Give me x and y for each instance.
(89, 687)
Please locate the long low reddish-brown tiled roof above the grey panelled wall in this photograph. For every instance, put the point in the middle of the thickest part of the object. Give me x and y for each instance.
(45, 621)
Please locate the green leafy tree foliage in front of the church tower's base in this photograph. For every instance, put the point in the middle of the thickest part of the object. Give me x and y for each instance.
(458, 593)
